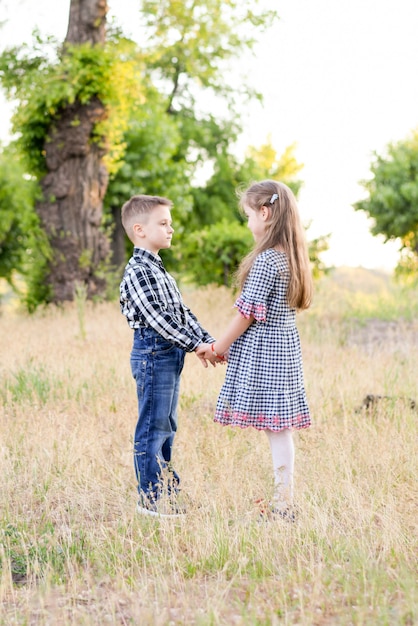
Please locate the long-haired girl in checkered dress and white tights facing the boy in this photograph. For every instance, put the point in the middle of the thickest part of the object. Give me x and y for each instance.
(264, 385)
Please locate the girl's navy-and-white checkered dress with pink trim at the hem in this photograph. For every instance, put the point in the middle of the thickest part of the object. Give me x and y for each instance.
(264, 385)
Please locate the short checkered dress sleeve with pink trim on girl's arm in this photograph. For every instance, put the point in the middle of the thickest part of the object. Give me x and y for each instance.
(259, 284)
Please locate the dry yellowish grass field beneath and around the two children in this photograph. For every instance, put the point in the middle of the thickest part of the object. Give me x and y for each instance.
(72, 549)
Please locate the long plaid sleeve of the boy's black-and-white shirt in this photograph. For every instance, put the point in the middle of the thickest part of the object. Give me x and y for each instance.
(147, 299)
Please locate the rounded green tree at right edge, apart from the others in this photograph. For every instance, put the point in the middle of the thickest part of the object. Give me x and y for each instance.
(393, 198)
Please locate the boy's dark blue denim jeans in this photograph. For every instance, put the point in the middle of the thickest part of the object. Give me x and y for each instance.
(156, 367)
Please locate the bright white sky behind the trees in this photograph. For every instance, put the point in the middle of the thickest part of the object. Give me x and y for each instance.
(338, 78)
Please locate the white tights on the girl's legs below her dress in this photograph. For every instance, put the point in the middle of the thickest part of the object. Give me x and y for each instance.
(283, 456)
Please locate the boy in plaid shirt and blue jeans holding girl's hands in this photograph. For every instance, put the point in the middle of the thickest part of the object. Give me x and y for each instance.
(164, 330)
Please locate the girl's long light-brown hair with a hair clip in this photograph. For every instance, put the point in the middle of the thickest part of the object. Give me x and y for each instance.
(284, 231)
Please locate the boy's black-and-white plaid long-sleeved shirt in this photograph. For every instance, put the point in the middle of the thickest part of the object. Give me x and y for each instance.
(149, 297)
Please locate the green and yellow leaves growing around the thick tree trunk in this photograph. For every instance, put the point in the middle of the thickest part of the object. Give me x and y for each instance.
(45, 80)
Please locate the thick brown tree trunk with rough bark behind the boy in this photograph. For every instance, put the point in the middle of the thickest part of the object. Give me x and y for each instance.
(76, 180)
